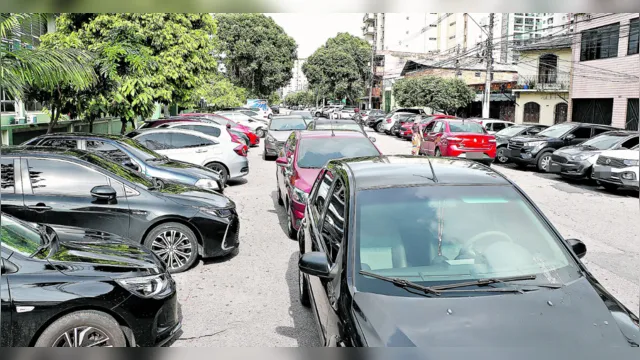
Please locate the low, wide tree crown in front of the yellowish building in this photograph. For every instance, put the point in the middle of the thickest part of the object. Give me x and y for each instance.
(440, 94)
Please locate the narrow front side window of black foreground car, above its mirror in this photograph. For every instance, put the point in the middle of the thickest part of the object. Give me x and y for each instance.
(334, 220)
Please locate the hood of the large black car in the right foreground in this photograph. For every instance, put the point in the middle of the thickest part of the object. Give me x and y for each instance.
(576, 314)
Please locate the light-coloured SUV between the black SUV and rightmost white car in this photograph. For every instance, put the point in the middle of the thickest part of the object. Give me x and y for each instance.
(577, 161)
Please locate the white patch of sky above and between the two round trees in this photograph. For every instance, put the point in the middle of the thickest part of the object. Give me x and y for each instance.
(311, 31)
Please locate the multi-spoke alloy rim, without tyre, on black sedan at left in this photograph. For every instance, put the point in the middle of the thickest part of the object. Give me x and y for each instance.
(173, 248)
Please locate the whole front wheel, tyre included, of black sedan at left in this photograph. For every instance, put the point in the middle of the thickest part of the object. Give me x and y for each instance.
(175, 244)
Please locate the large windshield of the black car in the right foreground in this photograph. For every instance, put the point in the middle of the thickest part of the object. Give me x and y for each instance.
(445, 234)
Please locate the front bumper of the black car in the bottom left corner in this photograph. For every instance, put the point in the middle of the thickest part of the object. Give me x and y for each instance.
(153, 322)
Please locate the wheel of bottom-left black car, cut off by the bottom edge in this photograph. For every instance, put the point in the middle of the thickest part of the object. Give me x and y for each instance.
(88, 328)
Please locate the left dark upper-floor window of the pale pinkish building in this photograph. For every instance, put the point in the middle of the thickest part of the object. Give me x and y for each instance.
(600, 43)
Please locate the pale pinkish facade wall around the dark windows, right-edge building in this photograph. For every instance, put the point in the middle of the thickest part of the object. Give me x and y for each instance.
(585, 86)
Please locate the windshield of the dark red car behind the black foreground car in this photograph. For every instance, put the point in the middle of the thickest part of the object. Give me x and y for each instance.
(315, 152)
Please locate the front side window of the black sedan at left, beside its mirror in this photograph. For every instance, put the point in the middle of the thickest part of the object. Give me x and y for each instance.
(63, 178)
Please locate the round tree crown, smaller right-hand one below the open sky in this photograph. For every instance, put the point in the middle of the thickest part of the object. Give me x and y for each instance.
(340, 68)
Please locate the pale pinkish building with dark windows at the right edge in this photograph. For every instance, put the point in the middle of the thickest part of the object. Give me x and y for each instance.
(606, 70)
